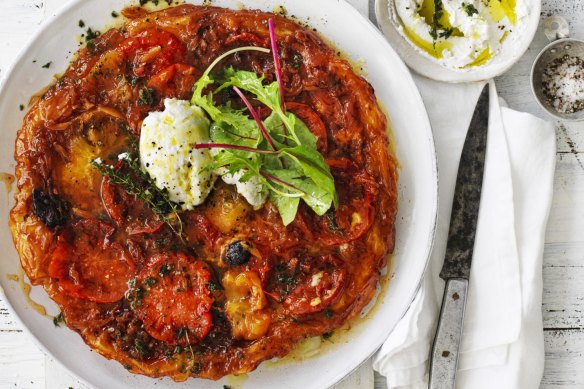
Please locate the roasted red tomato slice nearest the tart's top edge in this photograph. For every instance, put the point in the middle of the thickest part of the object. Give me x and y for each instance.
(152, 50)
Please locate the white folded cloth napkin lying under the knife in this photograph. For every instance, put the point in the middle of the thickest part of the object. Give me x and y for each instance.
(502, 344)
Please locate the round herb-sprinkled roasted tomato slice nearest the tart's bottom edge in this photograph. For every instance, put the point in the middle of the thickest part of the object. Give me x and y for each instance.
(172, 298)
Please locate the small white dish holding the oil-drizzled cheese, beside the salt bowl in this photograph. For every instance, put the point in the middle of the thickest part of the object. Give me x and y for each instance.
(513, 49)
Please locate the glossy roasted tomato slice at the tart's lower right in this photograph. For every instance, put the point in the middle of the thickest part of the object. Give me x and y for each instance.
(319, 287)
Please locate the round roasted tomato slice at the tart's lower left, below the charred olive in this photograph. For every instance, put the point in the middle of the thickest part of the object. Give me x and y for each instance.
(89, 266)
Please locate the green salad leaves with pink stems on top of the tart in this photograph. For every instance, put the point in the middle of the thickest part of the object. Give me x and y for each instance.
(280, 151)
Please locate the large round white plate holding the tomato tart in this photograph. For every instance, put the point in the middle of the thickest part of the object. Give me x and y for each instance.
(396, 91)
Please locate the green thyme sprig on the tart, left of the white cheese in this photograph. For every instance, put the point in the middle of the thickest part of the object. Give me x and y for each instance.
(137, 183)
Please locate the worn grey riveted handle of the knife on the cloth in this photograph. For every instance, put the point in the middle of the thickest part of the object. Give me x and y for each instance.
(444, 358)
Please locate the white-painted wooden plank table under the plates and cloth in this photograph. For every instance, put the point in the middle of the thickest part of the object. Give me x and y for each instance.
(22, 365)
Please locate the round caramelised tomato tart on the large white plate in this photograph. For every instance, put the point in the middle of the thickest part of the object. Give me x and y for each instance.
(235, 286)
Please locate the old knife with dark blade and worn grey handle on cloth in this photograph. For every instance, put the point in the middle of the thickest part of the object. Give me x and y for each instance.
(459, 249)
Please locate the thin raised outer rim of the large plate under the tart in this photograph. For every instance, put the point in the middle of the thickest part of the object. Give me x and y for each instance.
(375, 32)
